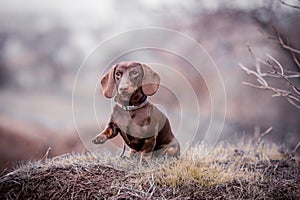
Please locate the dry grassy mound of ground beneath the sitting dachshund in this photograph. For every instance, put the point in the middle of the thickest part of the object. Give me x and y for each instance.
(242, 171)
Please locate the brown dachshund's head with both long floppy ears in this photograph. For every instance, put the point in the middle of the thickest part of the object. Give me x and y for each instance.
(127, 77)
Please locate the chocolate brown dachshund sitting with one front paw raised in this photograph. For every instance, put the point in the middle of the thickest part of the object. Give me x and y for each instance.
(143, 127)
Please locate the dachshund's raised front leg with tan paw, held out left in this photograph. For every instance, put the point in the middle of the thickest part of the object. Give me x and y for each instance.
(109, 132)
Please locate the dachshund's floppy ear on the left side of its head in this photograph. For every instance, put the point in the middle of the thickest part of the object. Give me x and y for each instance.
(108, 83)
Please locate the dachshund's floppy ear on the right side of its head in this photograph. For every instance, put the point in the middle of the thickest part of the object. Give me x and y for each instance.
(151, 81)
